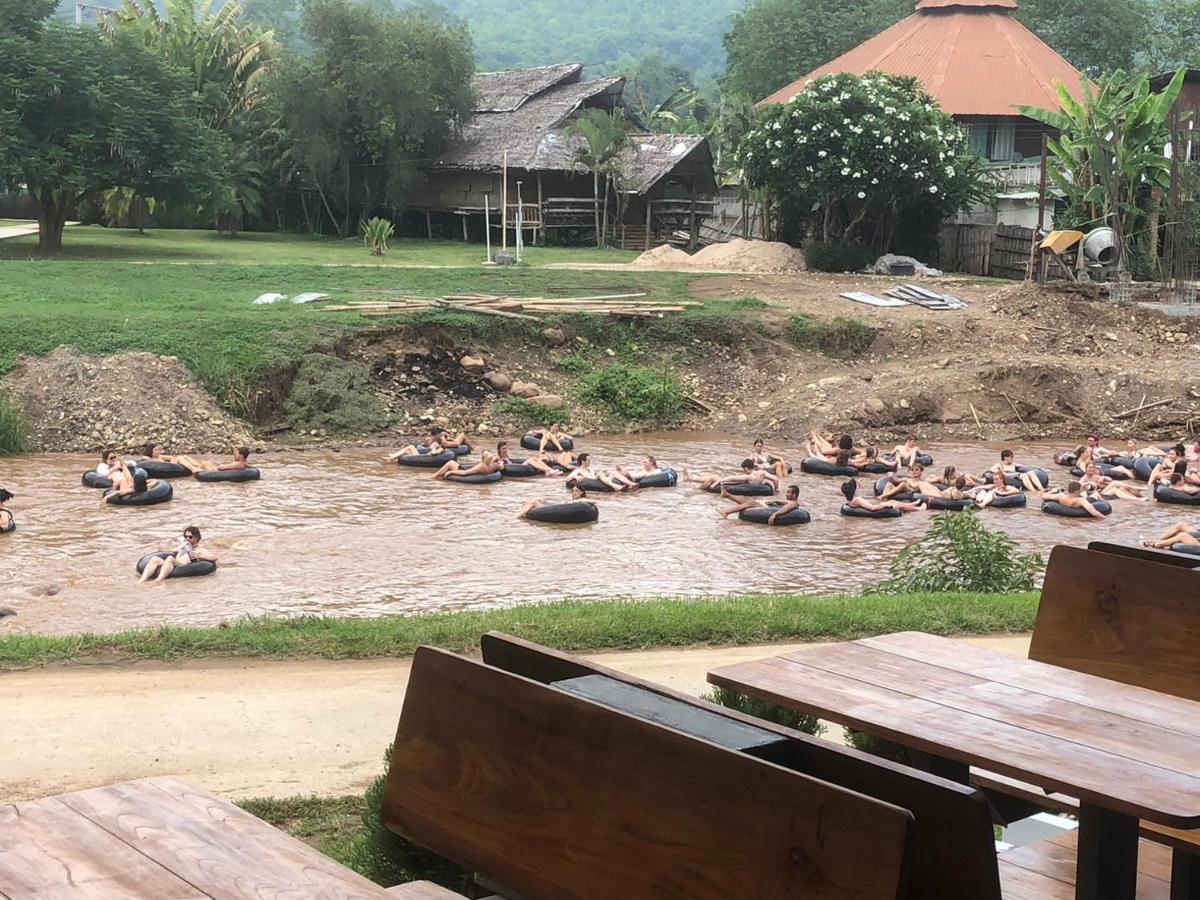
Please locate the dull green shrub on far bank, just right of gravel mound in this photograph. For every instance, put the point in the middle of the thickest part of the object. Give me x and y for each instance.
(333, 394)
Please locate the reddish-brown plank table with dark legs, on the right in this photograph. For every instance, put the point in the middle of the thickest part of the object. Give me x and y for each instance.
(1126, 753)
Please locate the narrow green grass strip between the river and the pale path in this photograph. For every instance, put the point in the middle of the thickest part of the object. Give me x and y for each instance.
(569, 626)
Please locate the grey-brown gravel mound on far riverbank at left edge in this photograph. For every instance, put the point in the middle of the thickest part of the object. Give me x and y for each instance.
(80, 404)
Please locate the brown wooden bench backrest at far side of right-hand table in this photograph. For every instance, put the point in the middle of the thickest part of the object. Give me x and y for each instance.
(1135, 621)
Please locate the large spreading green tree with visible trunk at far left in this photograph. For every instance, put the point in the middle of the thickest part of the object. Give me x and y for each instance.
(82, 115)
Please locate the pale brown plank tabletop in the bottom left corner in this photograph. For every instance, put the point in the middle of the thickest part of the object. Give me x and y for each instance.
(159, 838)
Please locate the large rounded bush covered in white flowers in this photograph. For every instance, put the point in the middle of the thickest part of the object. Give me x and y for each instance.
(853, 153)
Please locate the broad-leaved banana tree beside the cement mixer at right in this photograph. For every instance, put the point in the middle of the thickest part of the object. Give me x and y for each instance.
(1109, 155)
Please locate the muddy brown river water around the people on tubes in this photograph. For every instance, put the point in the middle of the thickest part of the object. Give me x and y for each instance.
(345, 535)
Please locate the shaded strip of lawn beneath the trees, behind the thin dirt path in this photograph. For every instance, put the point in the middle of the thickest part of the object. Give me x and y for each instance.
(251, 249)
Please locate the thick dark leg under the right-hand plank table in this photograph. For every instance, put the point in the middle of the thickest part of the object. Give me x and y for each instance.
(1107, 868)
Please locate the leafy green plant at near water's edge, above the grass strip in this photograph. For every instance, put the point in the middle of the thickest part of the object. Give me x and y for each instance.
(959, 553)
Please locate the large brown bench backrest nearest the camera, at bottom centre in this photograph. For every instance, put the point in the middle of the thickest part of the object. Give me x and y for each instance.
(557, 797)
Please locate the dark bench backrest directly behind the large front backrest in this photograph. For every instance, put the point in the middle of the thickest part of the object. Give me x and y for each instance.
(952, 845)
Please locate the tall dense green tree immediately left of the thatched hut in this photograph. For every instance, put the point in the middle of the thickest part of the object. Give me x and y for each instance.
(383, 93)
